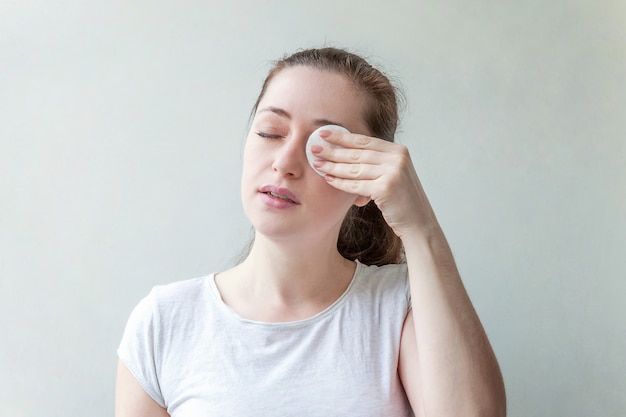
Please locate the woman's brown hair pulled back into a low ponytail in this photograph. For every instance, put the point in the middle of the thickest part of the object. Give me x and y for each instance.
(364, 233)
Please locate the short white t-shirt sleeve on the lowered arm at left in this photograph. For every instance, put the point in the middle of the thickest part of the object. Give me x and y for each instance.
(138, 349)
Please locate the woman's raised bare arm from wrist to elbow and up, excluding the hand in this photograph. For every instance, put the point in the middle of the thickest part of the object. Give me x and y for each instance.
(447, 365)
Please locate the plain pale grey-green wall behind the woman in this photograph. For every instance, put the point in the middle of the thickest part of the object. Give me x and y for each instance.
(121, 130)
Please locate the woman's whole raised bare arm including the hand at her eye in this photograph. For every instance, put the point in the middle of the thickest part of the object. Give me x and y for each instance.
(447, 365)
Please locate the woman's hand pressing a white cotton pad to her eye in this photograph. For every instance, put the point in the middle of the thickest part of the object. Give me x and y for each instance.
(380, 170)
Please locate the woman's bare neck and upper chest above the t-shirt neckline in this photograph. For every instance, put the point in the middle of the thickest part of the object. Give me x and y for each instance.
(281, 282)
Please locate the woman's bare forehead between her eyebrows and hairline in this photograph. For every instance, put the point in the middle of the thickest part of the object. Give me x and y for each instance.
(312, 94)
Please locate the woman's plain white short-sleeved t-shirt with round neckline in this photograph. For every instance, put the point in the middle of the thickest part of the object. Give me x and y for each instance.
(195, 356)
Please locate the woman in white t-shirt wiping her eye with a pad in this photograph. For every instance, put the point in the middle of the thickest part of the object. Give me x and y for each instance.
(348, 303)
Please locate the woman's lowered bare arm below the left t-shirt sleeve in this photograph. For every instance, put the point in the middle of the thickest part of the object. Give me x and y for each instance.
(130, 398)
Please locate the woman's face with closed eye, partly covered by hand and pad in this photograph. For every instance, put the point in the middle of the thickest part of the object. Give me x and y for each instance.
(282, 195)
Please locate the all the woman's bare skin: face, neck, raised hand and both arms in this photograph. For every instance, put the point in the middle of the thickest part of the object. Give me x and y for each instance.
(447, 365)
